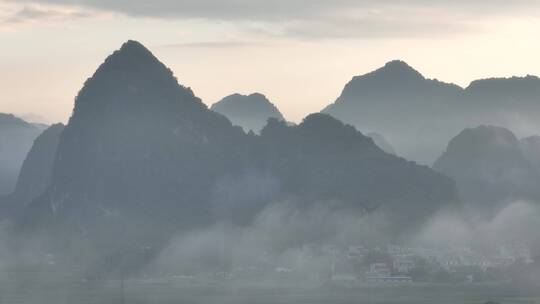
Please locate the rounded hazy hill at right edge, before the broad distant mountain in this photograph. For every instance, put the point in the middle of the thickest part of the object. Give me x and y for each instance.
(489, 166)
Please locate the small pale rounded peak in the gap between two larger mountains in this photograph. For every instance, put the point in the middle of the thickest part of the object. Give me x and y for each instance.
(251, 112)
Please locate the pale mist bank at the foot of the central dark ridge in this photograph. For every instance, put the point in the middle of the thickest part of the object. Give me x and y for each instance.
(275, 235)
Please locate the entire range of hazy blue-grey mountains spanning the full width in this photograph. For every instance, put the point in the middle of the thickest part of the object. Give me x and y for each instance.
(142, 158)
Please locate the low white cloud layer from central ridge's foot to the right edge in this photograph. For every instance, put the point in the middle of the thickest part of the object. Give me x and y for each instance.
(281, 231)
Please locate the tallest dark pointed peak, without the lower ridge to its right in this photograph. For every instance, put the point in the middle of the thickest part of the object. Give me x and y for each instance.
(137, 137)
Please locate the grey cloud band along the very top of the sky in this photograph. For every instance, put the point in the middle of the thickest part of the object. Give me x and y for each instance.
(277, 9)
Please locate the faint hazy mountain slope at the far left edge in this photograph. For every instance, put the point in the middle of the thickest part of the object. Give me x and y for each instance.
(16, 137)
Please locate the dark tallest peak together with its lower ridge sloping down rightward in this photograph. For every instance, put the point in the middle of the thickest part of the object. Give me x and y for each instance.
(143, 158)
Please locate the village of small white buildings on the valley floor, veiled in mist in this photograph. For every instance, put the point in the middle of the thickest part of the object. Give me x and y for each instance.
(392, 264)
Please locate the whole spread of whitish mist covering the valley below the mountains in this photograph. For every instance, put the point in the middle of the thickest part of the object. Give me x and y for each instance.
(285, 248)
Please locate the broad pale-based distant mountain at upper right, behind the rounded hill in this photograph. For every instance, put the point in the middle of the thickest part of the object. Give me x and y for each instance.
(419, 115)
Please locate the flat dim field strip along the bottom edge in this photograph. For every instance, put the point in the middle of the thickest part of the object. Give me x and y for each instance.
(30, 288)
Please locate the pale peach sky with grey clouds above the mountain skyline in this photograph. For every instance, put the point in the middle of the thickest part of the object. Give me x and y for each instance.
(299, 53)
